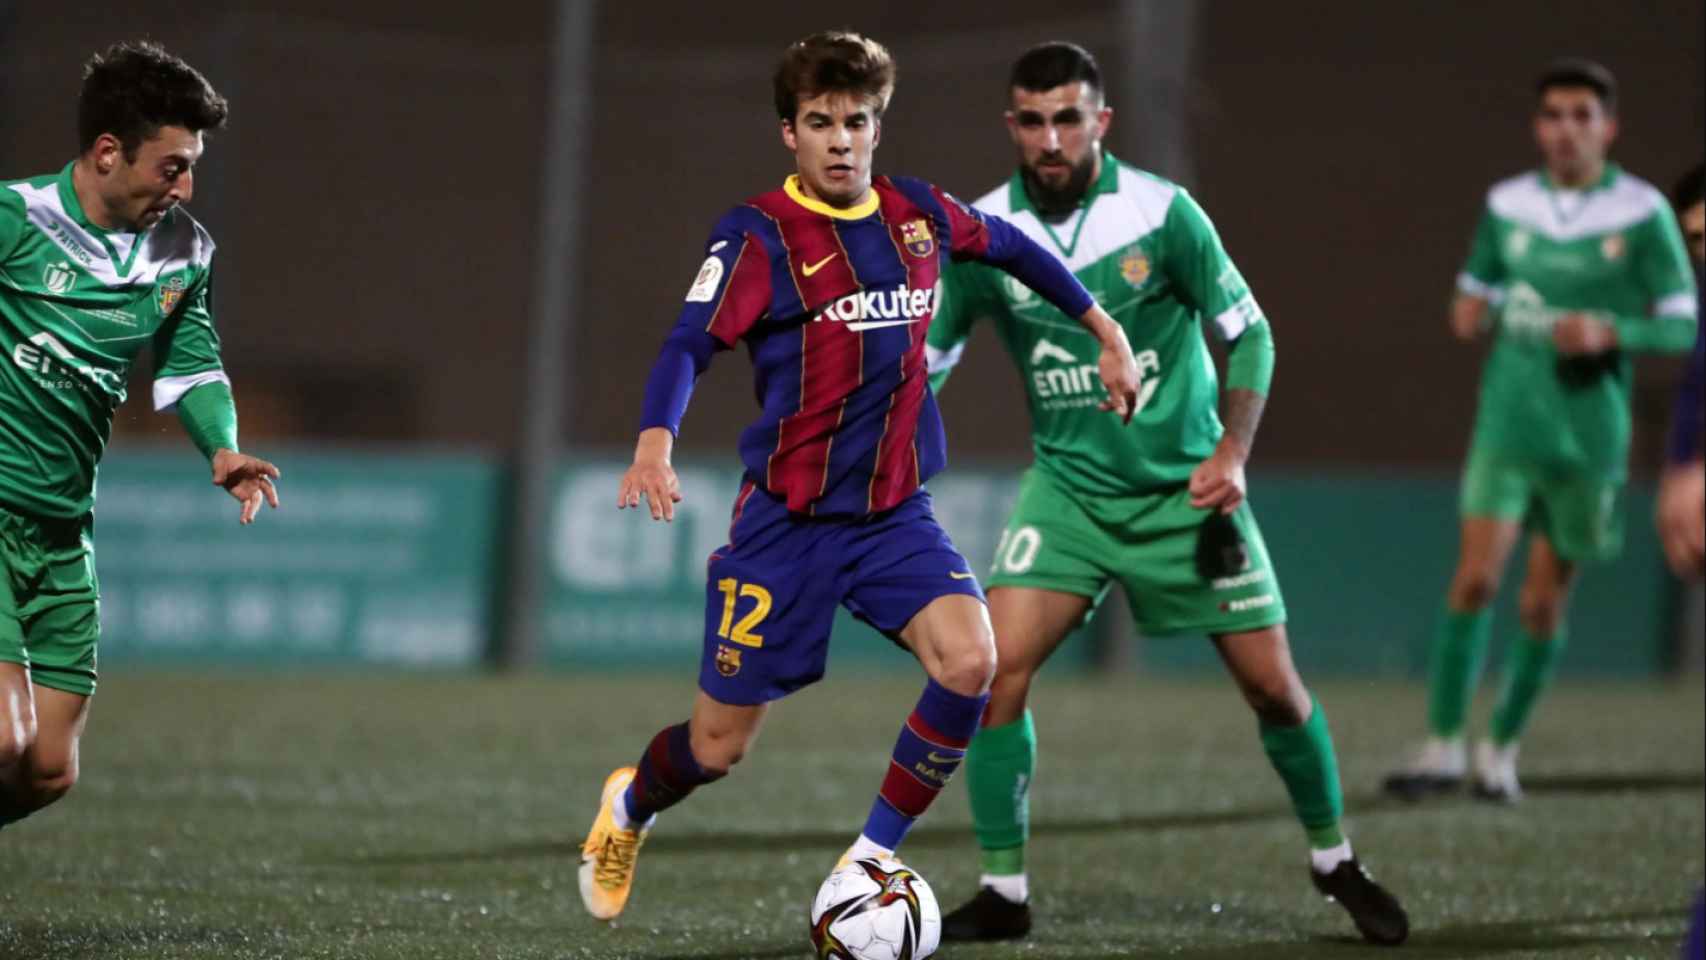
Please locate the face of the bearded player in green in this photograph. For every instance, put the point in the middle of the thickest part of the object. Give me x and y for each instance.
(1059, 136)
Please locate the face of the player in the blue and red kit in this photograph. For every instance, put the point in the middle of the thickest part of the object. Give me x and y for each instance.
(833, 139)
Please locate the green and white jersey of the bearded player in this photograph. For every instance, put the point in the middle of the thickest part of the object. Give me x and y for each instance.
(1152, 258)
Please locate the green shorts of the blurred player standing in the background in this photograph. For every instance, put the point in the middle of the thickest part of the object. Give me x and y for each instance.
(1579, 512)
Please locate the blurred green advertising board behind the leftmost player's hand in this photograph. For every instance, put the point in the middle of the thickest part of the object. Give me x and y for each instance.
(369, 558)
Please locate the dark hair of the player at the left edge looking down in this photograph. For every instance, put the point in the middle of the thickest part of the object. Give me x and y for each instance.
(132, 90)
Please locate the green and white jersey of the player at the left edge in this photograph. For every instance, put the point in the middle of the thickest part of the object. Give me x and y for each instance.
(78, 304)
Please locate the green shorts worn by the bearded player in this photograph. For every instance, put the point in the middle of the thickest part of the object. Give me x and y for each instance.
(1185, 570)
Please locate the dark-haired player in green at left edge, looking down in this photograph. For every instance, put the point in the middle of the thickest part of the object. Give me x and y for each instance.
(96, 263)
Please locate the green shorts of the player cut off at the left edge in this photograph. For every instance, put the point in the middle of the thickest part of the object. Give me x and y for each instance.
(50, 610)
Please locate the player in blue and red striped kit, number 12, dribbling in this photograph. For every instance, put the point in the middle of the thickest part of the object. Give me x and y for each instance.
(832, 284)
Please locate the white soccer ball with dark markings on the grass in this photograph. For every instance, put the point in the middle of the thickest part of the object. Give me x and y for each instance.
(876, 910)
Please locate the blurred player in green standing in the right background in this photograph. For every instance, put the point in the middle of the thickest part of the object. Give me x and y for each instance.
(1574, 269)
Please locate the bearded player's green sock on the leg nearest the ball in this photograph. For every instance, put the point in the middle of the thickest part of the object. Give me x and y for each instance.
(999, 770)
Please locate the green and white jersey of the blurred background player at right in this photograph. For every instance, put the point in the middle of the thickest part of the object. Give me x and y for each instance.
(1613, 252)
